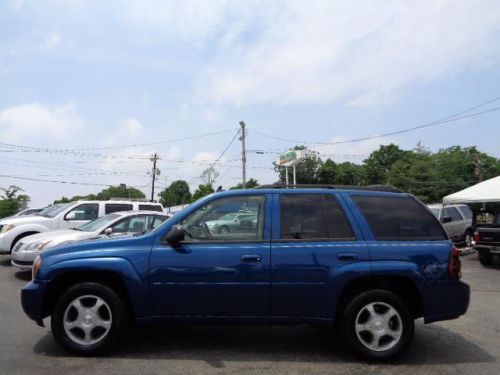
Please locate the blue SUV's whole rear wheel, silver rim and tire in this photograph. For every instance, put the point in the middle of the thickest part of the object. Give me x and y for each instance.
(377, 325)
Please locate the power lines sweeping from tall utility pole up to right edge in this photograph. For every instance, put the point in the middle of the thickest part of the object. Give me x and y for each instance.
(451, 118)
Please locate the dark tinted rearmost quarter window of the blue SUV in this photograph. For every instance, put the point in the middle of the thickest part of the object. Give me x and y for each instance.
(399, 218)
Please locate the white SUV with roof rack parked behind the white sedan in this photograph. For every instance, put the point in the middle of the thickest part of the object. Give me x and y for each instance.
(63, 216)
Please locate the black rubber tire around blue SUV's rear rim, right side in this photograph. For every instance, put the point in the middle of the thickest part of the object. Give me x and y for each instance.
(379, 299)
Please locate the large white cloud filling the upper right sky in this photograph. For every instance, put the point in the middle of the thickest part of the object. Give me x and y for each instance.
(362, 52)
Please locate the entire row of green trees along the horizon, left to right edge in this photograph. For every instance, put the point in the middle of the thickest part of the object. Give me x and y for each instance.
(428, 175)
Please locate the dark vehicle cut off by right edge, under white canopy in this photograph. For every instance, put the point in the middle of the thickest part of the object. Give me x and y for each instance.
(487, 234)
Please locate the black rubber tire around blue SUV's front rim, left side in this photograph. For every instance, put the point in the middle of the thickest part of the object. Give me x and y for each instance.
(114, 311)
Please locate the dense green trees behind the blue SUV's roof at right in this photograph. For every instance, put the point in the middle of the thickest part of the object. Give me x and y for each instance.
(427, 175)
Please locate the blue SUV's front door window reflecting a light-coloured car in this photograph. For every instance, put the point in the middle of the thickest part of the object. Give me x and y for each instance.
(227, 219)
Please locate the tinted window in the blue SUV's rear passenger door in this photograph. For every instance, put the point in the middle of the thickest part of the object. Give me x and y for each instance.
(313, 216)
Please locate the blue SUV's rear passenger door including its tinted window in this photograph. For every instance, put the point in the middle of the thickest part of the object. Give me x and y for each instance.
(315, 244)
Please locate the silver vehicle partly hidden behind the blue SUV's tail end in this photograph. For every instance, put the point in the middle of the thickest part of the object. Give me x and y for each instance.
(457, 221)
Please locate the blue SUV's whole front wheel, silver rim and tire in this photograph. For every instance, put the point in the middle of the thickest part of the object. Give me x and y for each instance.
(88, 319)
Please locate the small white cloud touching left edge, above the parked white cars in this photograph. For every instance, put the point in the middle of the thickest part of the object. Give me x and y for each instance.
(34, 123)
